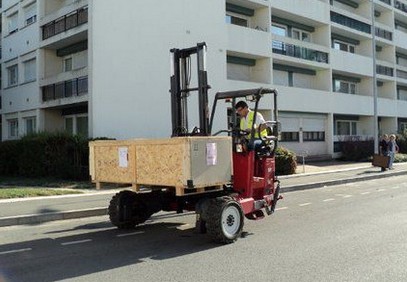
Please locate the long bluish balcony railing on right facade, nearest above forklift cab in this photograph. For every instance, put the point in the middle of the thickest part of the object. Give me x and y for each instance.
(291, 50)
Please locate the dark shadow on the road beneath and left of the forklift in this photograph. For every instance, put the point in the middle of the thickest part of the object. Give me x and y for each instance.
(73, 256)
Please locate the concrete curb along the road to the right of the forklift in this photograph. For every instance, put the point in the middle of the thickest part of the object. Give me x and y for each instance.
(338, 181)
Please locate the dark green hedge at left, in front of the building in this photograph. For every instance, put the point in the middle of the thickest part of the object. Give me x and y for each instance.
(46, 155)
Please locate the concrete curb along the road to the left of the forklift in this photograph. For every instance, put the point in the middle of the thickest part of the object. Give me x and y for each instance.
(40, 218)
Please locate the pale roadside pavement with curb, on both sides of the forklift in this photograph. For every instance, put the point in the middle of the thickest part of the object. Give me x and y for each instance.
(95, 202)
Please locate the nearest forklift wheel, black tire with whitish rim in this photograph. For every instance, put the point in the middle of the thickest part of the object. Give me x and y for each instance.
(224, 220)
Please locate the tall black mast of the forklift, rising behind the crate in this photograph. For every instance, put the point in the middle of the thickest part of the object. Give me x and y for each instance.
(181, 89)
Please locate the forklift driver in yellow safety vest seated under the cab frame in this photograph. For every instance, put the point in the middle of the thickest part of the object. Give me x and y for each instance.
(246, 122)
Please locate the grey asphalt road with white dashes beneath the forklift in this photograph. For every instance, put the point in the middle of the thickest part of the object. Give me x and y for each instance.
(352, 232)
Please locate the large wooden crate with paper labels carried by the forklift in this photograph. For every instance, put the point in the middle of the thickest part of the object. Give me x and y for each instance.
(181, 163)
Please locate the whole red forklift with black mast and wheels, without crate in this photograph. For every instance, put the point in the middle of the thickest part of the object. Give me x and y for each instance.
(253, 189)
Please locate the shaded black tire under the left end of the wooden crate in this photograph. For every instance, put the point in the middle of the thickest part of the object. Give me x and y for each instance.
(127, 209)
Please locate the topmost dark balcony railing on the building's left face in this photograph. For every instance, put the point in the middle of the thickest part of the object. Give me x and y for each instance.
(64, 23)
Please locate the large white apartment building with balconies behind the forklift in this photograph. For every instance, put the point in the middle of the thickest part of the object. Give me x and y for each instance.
(102, 69)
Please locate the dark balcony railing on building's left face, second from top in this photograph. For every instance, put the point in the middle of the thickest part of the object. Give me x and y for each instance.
(65, 89)
